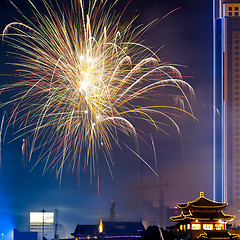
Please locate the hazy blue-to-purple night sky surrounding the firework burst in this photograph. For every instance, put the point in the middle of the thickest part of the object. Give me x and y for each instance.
(186, 35)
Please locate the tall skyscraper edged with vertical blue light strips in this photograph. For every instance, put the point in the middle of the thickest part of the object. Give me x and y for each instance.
(226, 101)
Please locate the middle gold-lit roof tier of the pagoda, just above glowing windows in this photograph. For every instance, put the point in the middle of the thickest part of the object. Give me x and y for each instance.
(202, 216)
